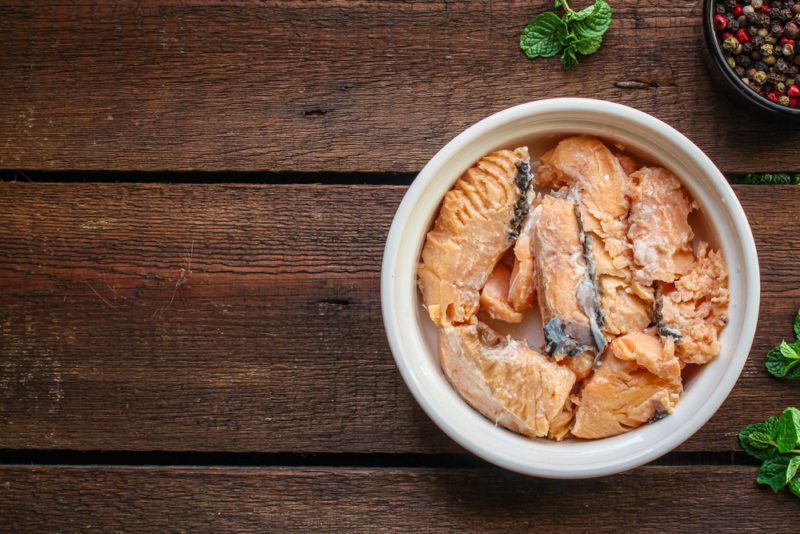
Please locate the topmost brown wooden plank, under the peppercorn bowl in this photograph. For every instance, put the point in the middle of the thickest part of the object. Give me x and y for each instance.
(330, 85)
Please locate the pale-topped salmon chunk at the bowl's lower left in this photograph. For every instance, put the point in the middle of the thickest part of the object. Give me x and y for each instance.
(505, 380)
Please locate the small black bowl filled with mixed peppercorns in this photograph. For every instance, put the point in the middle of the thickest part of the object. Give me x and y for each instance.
(753, 50)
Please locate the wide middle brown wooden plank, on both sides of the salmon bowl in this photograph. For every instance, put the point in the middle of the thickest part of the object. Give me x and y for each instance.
(247, 318)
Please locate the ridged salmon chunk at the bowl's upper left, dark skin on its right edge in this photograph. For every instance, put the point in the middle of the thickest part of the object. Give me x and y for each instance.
(478, 222)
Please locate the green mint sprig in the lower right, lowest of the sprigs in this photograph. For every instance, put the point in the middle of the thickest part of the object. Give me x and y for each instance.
(776, 441)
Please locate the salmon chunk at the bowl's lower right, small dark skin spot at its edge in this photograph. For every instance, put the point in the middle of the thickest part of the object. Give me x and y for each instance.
(639, 381)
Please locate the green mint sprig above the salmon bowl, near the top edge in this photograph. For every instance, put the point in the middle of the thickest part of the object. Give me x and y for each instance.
(576, 32)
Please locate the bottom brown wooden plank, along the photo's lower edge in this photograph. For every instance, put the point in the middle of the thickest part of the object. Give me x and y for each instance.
(710, 499)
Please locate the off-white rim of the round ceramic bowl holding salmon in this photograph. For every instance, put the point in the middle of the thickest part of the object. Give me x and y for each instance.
(414, 378)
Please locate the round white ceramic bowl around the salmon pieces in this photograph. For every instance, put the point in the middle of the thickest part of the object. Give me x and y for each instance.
(412, 336)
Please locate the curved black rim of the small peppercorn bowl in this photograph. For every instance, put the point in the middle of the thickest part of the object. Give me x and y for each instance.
(725, 76)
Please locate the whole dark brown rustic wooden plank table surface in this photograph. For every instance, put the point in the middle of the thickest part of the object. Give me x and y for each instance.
(193, 208)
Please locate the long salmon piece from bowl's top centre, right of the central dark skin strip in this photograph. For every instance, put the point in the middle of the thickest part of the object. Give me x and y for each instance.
(594, 176)
